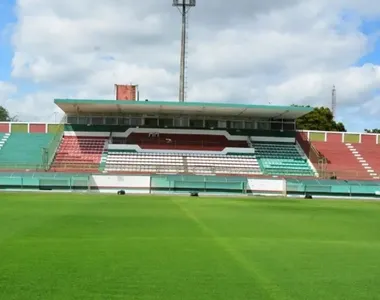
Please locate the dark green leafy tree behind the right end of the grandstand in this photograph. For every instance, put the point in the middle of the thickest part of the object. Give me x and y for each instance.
(321, 118)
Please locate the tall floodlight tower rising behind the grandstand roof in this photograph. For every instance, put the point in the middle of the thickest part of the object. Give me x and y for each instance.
(183, 7)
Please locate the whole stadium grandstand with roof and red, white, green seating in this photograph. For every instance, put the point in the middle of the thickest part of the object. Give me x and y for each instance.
(156, 137)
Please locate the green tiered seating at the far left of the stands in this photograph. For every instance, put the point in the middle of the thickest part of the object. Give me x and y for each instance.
(24, 150)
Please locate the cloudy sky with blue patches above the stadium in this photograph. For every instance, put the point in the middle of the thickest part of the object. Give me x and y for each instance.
(249, 51)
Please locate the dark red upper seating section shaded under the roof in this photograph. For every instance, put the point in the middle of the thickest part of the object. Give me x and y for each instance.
(180, 141)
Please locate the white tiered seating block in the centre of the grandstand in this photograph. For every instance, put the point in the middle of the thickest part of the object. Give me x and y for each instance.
(121, 161)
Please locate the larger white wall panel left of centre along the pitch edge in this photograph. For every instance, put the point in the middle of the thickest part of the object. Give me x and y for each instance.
(131, 184)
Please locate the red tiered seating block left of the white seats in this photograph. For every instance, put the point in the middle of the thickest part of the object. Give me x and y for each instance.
(83, 153)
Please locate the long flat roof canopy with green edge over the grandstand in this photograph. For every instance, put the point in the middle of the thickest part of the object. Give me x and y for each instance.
(71, 106)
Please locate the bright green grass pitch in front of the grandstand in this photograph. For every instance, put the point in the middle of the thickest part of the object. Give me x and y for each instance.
(68, 246)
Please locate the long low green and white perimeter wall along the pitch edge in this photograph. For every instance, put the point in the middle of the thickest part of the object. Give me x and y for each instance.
(184, 184)
